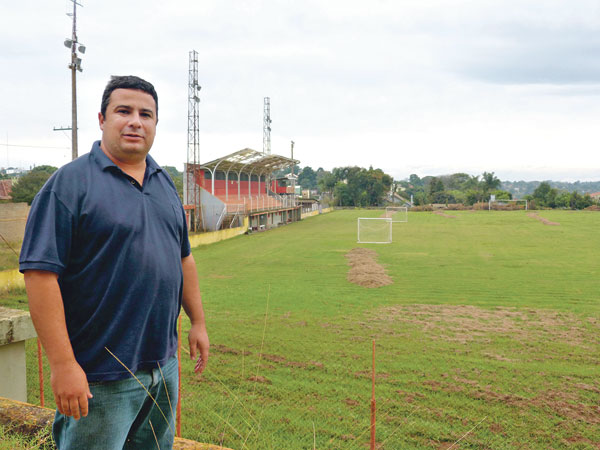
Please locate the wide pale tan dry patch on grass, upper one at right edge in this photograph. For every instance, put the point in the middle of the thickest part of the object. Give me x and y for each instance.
(465, 323)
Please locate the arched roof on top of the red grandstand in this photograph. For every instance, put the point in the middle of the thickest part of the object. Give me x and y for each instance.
(250, 161)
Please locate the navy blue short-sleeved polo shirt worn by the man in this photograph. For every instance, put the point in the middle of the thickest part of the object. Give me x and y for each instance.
(116, 247)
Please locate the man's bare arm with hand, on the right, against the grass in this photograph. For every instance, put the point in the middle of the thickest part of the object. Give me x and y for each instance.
(192, 304)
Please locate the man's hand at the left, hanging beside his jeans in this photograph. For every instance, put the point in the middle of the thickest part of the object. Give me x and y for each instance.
(71, 390)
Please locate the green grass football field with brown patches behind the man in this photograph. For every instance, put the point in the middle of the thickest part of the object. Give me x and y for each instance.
(489, 337)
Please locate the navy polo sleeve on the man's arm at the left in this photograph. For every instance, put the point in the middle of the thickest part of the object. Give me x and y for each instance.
(48, 235)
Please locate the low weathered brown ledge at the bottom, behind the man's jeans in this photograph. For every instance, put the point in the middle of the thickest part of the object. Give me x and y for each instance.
(29, 420)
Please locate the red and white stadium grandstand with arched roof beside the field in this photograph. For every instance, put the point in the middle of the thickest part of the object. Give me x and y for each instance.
(228, 189)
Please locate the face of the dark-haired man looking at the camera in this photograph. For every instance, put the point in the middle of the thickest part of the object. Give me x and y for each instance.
(129, 127)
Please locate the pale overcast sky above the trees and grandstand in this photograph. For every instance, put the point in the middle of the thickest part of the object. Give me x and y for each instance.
(429, 87)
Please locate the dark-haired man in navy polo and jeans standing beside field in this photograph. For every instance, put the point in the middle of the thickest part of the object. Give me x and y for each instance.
(107, 266)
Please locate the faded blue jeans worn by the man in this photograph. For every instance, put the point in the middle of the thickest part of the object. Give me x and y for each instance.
(122, 416)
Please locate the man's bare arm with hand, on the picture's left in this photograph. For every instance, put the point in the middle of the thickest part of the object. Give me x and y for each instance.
(69, 382)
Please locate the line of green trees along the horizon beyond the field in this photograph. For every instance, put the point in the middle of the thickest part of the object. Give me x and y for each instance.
(360, 187)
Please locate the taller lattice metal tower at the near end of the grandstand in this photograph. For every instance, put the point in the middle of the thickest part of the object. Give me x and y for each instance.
(193, 156)
